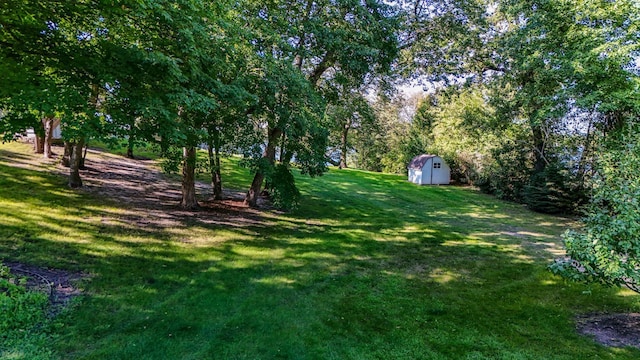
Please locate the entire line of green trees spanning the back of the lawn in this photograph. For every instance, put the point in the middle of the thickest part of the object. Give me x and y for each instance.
(527, 90)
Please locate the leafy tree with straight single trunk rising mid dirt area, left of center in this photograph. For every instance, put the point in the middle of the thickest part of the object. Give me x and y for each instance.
(170, 80)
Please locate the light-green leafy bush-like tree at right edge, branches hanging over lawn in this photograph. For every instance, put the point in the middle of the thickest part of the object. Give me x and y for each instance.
(606, 249)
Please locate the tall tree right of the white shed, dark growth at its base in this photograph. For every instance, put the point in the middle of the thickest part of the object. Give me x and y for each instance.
(546, 61)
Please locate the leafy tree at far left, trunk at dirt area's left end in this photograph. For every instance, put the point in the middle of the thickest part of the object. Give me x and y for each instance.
(53, 50)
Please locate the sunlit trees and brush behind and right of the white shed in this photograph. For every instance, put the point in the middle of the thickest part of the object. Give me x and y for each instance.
(531, 93)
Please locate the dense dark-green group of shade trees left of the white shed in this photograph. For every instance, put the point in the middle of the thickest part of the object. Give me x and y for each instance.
(253, 77)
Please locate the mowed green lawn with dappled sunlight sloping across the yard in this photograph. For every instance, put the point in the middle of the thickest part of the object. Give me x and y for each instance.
(369, 267)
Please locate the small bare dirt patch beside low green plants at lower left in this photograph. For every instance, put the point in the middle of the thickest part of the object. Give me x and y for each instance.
(58, 284)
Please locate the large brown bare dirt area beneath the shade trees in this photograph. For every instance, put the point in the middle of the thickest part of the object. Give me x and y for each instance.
(153, 198)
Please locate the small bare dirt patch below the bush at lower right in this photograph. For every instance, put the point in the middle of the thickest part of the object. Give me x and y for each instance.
(616, 330)
